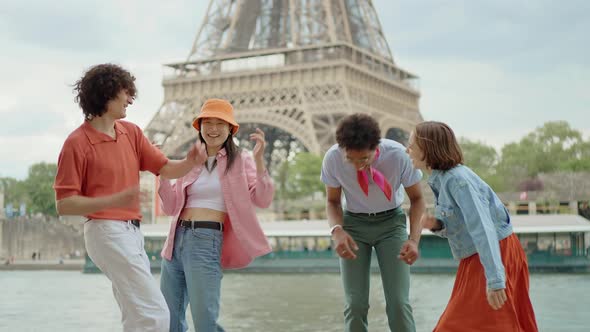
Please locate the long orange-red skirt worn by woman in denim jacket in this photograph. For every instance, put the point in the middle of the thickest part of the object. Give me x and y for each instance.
(468, 308)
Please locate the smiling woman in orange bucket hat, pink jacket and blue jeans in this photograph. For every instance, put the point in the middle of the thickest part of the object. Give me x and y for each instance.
(214, 224)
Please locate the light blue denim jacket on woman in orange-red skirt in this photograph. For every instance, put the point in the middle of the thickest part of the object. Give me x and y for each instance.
(474, 219)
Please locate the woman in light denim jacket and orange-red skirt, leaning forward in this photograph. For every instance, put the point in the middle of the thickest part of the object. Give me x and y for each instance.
(491, 291)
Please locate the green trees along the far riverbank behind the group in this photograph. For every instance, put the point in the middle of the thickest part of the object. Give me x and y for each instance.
(553, 148)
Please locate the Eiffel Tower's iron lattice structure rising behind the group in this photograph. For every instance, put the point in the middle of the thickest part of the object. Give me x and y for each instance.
(291, 67)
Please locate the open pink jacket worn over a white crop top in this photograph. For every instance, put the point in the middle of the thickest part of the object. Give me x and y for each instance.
(243, 238)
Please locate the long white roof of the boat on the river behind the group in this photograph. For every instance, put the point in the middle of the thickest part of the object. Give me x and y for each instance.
(523, 224)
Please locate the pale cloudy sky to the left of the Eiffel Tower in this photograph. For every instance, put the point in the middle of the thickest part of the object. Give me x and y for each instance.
(46, 48)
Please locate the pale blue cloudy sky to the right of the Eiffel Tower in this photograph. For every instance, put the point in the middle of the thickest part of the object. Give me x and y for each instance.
(494, 70)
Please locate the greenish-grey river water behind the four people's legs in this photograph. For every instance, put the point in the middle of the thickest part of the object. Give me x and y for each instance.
(68, 301)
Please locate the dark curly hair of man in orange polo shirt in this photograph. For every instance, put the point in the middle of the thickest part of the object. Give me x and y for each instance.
(100, 84)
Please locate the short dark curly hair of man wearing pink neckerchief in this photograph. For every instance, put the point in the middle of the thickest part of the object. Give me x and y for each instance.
(358, 132)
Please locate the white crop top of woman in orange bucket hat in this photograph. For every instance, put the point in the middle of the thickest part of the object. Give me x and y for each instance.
(205, 192)
